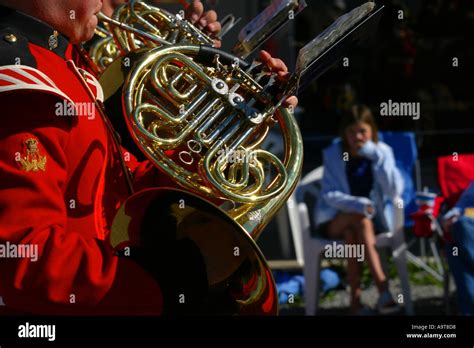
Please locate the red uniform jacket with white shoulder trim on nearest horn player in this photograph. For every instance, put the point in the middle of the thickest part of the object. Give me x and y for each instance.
(60, 184)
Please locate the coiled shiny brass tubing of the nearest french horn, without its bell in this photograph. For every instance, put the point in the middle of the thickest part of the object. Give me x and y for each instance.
(205, 107)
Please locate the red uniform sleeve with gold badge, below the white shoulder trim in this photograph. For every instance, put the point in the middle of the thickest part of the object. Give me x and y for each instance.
(73, 273)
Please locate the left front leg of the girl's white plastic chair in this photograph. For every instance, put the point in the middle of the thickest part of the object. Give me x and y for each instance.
(311, 281)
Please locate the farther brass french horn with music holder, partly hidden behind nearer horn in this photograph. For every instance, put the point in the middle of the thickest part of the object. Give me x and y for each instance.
(152, 27)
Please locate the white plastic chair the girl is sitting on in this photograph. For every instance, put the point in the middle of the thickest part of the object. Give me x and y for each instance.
(310, 251)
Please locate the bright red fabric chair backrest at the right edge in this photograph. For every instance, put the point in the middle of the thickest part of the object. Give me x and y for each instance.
(455, 173)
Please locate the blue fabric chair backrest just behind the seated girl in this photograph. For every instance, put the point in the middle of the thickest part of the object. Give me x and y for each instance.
(405, 152)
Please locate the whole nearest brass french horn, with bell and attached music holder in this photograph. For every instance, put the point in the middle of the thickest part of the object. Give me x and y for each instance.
(200, 115)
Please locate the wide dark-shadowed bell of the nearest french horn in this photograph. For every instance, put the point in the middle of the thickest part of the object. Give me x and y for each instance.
(205, 262)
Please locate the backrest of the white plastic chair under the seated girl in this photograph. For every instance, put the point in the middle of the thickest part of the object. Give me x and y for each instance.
(300, 207)
